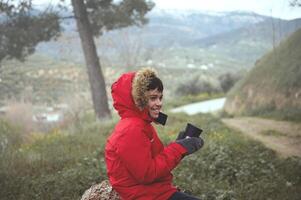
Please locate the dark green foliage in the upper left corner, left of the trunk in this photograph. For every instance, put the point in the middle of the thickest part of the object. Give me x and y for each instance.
(21, 30)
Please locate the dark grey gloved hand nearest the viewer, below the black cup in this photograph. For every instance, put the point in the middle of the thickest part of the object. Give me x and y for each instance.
(191, 144)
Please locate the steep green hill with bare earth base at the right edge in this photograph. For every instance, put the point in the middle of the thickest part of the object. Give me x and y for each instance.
(273, 87)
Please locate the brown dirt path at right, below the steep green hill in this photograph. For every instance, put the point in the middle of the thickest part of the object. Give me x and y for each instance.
(283, 137)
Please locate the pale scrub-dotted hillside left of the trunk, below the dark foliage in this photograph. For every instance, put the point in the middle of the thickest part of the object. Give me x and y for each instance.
(40, 80)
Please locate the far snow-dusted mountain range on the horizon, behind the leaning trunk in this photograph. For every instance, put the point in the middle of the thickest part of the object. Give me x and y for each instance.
(166, 29)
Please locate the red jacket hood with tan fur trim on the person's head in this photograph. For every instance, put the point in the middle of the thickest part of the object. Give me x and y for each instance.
(129, 93)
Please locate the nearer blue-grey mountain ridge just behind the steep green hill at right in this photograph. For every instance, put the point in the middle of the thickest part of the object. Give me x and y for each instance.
(250, 42)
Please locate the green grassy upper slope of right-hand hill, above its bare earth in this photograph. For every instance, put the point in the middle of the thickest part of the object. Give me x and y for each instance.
(282, 65)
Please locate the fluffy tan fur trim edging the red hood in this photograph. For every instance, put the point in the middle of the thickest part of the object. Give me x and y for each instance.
(139, 86)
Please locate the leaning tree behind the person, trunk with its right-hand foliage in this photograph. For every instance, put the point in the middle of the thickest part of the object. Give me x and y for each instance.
(93, 18)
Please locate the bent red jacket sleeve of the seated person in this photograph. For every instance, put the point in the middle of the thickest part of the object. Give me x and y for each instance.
(134, 149)
